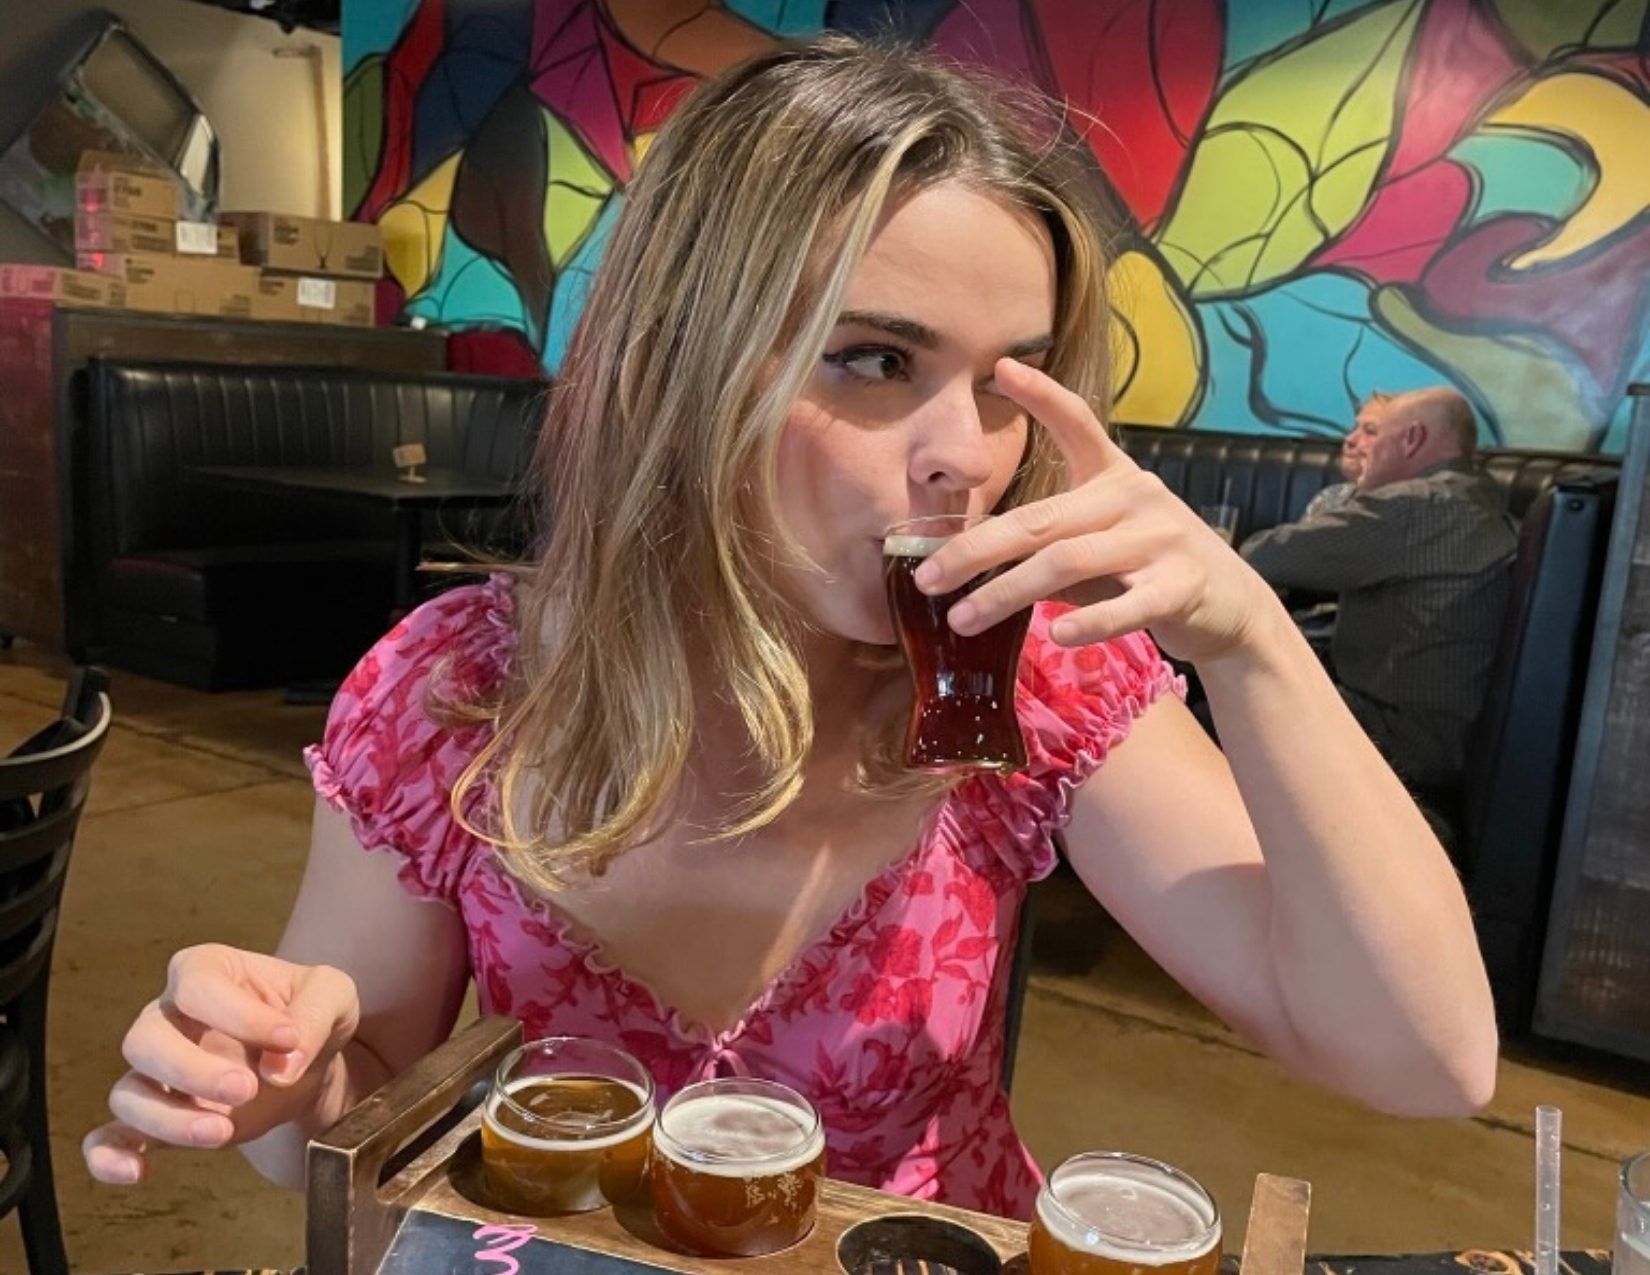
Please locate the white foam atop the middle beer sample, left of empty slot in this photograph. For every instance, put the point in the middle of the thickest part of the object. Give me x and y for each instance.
(733, 1136)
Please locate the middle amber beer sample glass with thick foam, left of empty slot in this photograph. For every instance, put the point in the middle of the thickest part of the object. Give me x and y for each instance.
(737, 1169)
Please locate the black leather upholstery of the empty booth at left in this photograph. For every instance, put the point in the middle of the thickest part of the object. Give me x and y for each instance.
(217, 588)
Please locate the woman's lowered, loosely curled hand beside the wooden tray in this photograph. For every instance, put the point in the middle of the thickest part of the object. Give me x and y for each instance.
(237, 1045)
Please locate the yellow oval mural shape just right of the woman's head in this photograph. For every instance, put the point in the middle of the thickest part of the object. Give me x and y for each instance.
(1157, 352)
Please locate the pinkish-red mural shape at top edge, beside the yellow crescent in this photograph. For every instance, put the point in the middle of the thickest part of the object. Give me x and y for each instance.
(1459, 64)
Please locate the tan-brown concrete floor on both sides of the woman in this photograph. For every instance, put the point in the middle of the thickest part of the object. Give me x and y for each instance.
(197, 832)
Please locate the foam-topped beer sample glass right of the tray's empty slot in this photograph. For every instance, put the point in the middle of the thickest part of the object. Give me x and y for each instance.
(1118, 1215)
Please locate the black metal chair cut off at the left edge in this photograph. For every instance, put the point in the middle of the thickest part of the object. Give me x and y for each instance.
(44, 786)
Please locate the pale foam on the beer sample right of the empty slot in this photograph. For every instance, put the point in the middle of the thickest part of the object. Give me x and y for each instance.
(1129, 1211)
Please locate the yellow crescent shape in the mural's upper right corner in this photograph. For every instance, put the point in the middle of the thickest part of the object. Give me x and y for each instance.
(1615, 125)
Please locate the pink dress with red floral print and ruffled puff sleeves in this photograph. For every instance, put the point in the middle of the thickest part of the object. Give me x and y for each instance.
(892, 1022)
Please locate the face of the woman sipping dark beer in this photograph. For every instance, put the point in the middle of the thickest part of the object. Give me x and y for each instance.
(902, 418)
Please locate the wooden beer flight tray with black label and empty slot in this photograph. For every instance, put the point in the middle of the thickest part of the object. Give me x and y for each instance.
(379, 1210)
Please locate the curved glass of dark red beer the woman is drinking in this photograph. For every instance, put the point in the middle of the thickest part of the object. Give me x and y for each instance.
(964, 712)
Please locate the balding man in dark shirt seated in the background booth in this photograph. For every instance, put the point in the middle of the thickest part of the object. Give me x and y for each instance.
(1420, 557)
